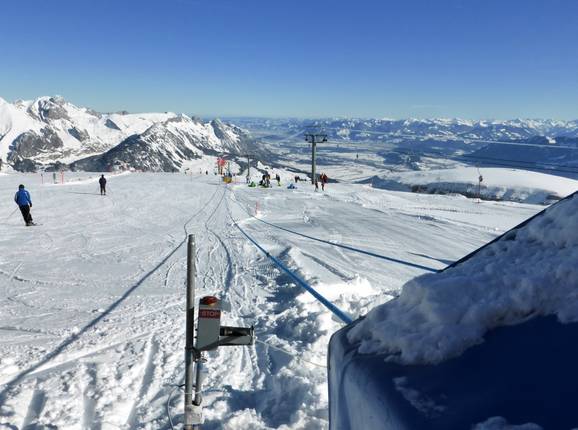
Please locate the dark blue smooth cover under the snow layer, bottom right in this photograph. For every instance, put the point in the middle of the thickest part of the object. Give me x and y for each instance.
(524, 373)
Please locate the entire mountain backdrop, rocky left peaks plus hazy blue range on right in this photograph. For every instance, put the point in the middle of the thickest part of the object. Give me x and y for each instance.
(50, 133)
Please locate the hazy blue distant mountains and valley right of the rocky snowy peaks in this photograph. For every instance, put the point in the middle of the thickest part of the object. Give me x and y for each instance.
(536, 144)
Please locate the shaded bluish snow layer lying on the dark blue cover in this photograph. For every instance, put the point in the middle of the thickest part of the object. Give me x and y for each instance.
(530, 271)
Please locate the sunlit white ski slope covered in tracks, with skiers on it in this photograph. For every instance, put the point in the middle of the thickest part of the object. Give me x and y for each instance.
(92, 299)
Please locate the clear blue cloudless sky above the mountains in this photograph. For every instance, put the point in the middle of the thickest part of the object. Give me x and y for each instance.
(317, 58)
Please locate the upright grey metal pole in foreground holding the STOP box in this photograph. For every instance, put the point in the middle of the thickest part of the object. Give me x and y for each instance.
(190, 334)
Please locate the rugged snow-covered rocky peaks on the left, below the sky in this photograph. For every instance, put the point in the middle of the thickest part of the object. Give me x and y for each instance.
(51, 133)
